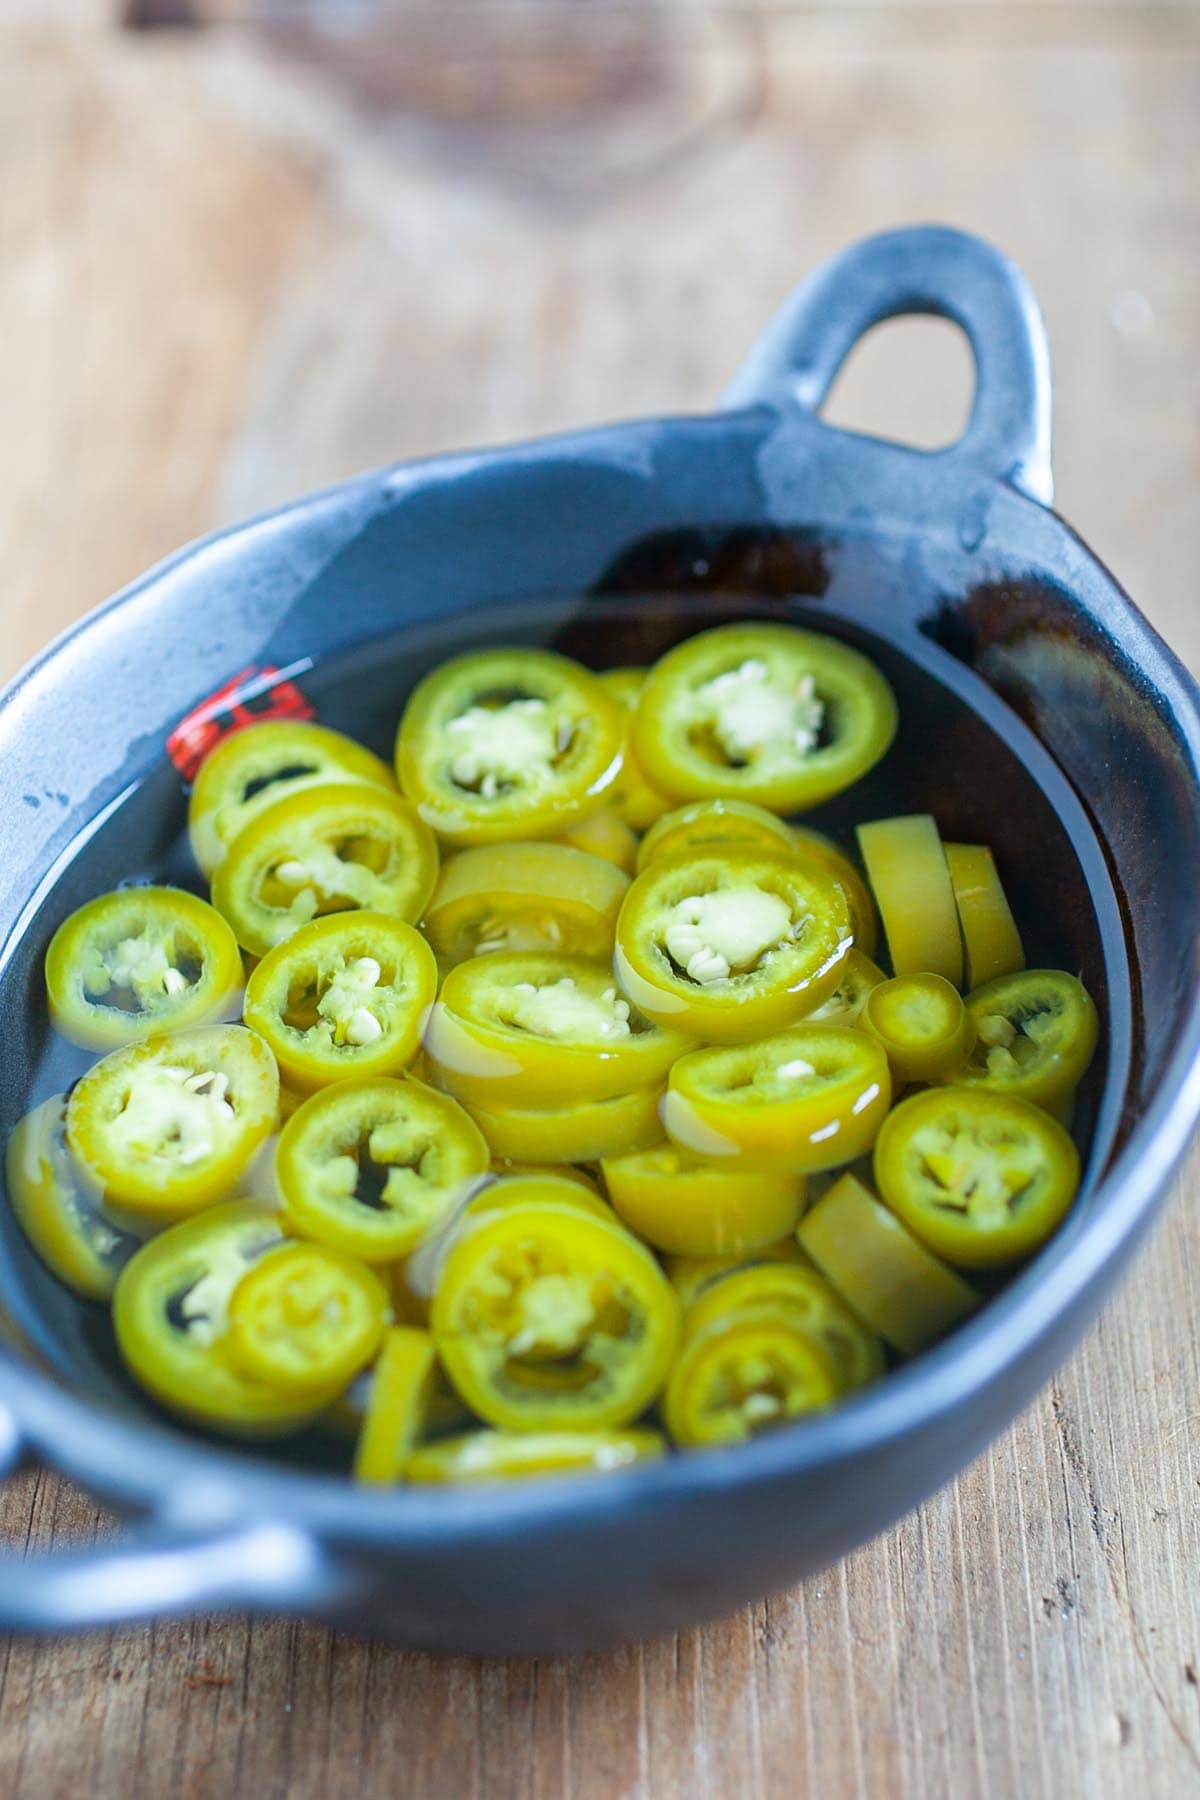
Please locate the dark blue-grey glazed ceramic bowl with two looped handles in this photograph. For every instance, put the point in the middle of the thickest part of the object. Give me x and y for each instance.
(1041, 712)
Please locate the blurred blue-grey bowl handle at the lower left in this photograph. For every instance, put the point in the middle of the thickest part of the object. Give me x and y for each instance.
(161, 1570)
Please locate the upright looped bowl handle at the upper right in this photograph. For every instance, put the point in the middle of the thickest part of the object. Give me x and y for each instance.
(922, 269)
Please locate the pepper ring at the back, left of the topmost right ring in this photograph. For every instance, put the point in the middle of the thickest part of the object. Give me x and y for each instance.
(508, 744)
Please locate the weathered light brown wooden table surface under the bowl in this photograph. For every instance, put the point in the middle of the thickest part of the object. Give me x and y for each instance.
(246, 260)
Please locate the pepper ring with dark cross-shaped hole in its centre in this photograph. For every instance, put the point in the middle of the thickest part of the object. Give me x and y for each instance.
(372, 1167)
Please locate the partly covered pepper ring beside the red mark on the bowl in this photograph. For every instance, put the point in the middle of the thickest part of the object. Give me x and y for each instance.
(255, 768)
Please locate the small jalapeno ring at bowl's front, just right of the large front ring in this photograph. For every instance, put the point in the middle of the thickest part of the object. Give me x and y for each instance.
(748, 1372)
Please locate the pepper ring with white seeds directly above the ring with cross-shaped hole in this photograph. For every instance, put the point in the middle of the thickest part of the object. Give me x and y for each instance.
(345, 996)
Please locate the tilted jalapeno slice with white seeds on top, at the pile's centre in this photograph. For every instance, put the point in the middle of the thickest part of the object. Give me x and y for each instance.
(530, 1030)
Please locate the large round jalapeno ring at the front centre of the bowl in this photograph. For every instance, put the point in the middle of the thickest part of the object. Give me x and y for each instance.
(548, 1318)
